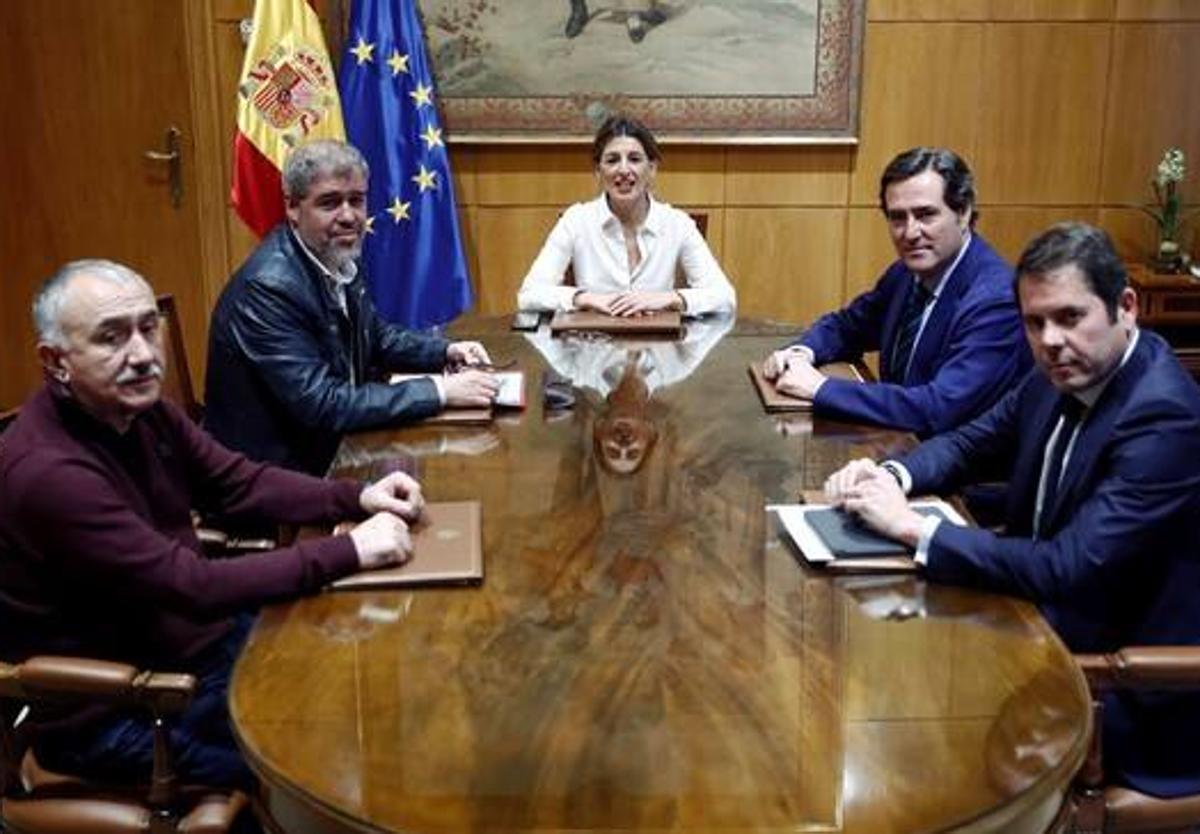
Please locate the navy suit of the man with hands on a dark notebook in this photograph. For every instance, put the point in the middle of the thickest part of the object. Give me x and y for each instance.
(1121, 561)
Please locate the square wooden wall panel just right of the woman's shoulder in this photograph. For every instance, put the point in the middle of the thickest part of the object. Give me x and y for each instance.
(788, 265)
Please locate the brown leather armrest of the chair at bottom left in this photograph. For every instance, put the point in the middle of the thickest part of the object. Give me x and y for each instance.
(82, 679)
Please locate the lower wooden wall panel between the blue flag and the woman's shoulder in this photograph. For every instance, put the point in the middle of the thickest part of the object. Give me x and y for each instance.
(507, 243)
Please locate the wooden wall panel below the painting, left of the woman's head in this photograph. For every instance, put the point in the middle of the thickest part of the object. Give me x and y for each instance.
(535, 176)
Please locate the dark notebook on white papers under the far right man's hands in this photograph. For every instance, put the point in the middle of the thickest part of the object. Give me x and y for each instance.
(835, 541)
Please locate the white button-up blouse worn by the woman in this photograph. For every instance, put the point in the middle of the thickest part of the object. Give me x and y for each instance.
(589, 237)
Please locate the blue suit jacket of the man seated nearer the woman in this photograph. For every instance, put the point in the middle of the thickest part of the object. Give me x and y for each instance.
(971, 351)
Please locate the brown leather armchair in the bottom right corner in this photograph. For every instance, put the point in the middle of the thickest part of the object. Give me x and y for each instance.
(1108, 808)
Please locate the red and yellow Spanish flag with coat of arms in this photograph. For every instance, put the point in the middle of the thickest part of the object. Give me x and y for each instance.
(287, 95)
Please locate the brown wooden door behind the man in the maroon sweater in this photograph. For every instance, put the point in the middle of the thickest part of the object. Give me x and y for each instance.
(87, 88)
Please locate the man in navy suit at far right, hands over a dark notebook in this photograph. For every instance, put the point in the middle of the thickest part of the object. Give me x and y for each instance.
(1101, 447)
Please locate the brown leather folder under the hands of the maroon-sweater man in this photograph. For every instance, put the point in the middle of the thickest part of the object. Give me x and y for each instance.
(447, 550)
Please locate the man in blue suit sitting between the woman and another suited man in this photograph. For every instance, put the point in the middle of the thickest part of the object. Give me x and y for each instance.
(943, 317)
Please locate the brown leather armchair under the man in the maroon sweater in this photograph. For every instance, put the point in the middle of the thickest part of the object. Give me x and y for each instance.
(35, 801)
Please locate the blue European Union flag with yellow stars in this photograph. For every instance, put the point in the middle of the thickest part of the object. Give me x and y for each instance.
(413, 250)
